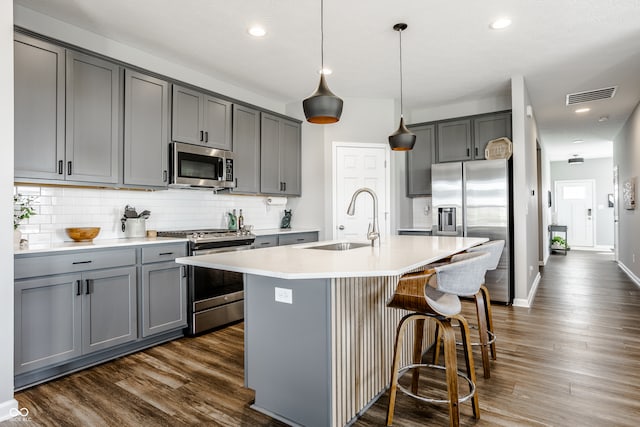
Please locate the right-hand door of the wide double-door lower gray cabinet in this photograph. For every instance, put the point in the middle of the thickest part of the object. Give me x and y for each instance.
(109, 312)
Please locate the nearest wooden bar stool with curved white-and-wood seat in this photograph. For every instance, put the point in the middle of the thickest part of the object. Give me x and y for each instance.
(433, 294)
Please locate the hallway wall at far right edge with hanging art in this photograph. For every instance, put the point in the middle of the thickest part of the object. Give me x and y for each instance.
(626, 154)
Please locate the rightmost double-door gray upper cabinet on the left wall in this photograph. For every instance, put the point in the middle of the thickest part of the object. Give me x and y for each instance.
(280, 156)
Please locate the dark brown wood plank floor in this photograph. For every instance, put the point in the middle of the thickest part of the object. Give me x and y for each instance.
(572, 359)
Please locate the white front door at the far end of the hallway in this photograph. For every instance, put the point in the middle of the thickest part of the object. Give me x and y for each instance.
(574, 201)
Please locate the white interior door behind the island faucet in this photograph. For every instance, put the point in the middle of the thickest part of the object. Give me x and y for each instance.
(356, 166)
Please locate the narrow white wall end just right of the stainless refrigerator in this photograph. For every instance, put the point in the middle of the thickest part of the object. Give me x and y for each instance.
(525, 200)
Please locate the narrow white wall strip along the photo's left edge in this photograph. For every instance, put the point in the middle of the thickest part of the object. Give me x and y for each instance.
(6, 190)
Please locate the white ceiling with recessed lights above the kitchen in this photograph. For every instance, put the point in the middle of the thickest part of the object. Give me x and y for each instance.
(449, 53)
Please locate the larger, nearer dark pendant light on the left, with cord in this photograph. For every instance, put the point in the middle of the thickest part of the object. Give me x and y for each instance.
(322, 107)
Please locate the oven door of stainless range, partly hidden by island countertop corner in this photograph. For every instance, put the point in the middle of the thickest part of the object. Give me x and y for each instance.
(211, 287)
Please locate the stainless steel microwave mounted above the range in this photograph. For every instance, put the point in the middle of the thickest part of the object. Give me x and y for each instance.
(193, 166)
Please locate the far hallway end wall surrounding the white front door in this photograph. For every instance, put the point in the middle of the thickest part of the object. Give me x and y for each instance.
(600, 170)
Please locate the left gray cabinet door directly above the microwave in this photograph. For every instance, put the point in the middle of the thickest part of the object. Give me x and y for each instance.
(187, 116)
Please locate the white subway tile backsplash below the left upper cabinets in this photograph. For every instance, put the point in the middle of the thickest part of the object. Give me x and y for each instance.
(60, 207)
